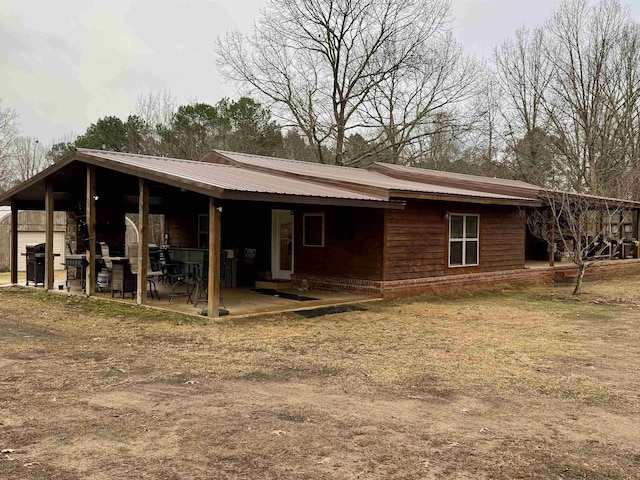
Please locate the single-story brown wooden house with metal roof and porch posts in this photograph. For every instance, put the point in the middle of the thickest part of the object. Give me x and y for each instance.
(385, 230)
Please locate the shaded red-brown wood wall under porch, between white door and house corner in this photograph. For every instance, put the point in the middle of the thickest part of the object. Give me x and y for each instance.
(353, 244)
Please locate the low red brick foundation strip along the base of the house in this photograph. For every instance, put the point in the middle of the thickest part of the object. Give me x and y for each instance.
(467, 283)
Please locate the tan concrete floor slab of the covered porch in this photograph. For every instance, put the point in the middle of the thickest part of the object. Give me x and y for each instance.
(238, 301)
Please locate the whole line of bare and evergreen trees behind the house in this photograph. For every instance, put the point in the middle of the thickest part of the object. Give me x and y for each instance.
(348, 82)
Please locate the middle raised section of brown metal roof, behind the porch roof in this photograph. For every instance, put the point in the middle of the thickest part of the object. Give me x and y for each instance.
(356, 177)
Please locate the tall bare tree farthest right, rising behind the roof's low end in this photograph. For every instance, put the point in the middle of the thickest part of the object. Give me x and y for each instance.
(595, 60)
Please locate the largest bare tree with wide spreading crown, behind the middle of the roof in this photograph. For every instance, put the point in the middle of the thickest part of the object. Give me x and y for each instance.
(325, 63)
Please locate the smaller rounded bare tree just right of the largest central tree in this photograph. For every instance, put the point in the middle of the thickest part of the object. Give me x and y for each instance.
(411, 103)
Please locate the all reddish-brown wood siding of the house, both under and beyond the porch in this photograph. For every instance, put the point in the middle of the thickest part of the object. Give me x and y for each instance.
(365, 244)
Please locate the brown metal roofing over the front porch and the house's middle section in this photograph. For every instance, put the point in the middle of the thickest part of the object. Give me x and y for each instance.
(239, 176)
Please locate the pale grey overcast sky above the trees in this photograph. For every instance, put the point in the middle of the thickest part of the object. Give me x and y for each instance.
(65, 64)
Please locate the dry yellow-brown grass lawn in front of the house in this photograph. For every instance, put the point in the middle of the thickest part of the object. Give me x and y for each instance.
(528, 383)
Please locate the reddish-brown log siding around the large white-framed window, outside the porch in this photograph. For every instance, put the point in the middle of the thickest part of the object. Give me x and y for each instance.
(417, 240)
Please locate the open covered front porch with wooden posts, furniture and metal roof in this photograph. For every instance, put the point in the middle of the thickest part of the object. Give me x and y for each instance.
(257, 221)
